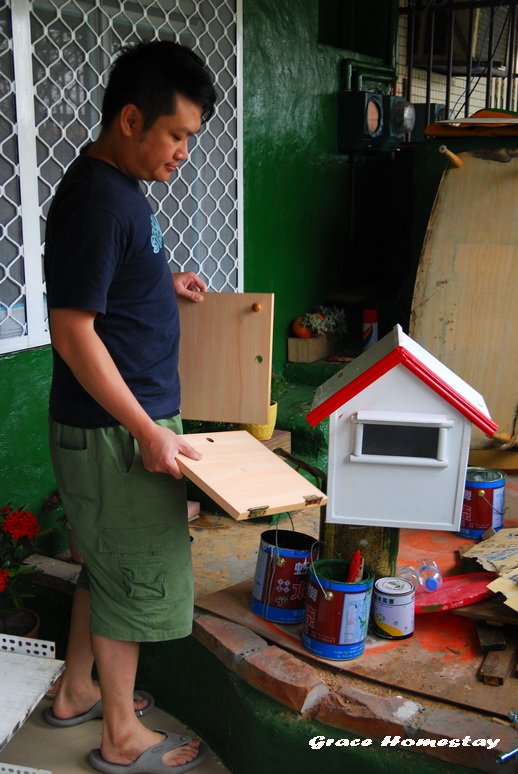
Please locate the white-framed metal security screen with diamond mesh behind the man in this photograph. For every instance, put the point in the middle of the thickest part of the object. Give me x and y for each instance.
(54, 60)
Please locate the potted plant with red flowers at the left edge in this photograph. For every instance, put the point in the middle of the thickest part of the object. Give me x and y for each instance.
(19, 530)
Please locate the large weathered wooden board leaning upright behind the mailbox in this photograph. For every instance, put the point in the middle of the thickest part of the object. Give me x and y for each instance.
(467, 281)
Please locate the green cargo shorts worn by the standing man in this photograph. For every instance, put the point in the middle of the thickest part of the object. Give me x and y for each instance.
(131, 528)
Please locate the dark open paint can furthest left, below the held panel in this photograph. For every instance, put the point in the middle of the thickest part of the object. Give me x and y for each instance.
(279, 589)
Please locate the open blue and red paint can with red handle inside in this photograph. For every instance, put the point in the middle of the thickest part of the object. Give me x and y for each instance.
(337, 612)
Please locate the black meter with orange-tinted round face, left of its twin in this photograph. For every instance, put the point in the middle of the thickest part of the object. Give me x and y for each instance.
(360, 120)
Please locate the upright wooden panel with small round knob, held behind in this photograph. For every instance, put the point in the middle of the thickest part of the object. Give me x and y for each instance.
(225, 357)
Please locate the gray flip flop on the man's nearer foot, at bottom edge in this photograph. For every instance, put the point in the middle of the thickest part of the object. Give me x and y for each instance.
(150, 761)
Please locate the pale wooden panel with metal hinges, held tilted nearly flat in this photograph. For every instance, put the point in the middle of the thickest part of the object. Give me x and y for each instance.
(244, 477)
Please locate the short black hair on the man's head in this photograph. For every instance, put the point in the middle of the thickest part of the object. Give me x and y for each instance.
(150, 75)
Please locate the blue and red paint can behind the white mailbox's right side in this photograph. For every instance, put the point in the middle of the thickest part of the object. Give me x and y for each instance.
(484, 502)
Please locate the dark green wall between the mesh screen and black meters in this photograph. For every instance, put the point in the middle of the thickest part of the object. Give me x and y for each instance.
(295, 181)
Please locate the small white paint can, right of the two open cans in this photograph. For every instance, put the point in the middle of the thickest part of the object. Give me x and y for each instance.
(393, 608)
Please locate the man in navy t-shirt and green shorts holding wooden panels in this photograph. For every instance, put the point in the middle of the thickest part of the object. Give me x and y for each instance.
(115, 400)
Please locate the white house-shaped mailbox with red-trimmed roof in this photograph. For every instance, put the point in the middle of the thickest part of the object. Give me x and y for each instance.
(399, 435)
